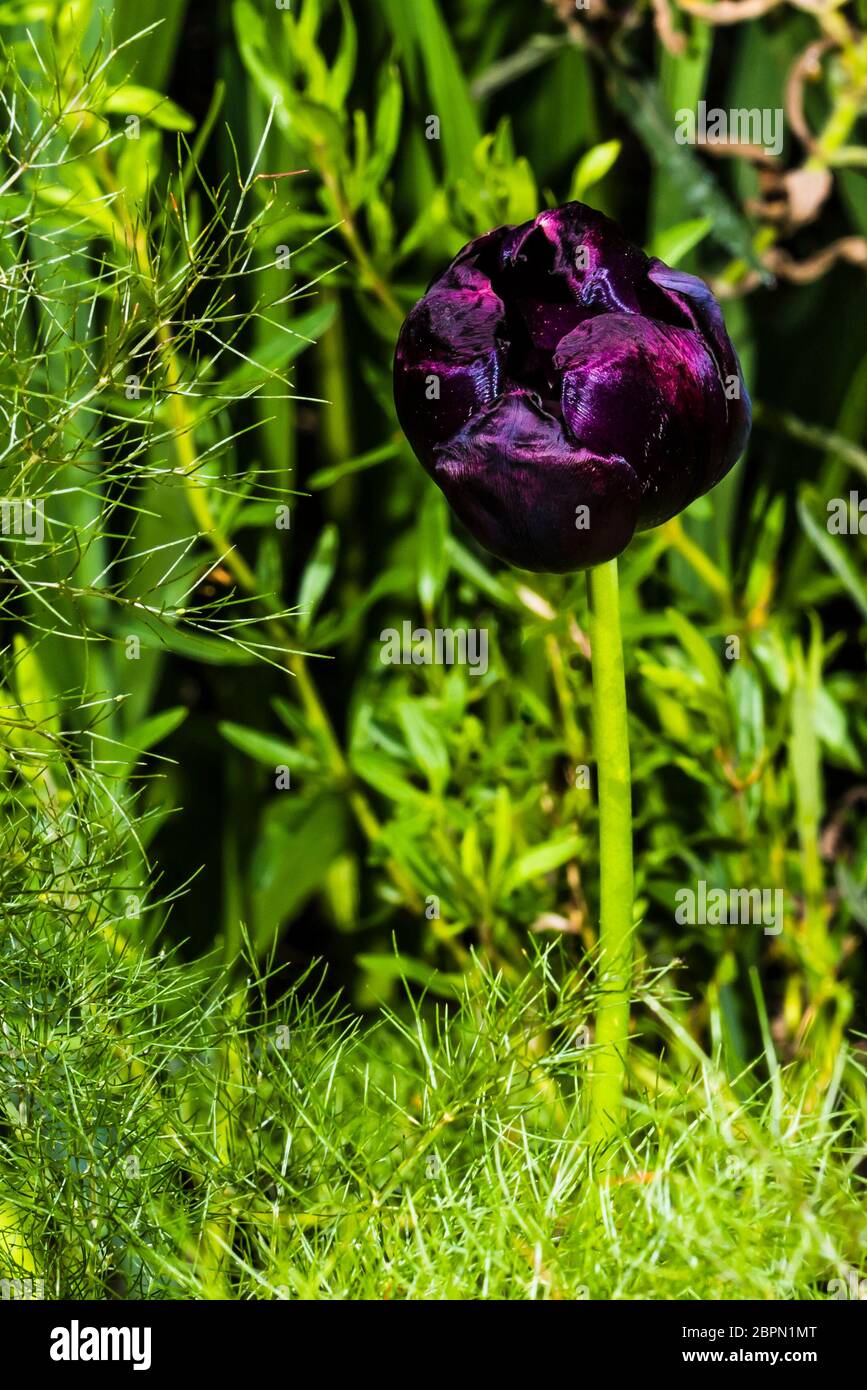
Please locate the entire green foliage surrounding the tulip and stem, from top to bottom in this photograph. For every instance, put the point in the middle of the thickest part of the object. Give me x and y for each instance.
(202, 281)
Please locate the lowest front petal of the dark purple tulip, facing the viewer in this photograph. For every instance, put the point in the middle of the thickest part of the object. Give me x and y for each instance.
(530, 497)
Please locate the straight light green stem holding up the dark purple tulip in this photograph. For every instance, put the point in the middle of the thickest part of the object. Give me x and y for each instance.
(616, 896)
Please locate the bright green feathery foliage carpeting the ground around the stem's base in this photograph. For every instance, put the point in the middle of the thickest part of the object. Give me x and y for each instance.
(167, 1135)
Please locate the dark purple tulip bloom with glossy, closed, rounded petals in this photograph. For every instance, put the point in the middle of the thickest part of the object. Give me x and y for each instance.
(565, 391)
